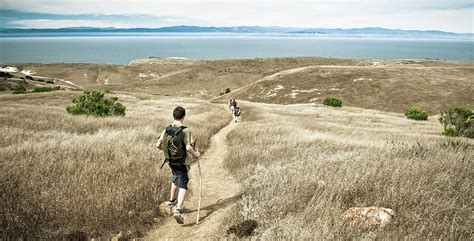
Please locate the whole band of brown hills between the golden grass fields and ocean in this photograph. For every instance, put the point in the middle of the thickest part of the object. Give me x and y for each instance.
(383, 85)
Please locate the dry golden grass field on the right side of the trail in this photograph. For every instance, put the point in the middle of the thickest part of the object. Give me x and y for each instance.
(304, 165)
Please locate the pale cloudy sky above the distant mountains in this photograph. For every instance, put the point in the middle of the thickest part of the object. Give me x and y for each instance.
(445, 15)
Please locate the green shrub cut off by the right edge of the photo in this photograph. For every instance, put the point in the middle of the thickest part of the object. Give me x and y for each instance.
(458, 121)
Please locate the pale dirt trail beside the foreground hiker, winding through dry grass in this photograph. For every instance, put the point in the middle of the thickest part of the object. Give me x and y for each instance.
(220, 192)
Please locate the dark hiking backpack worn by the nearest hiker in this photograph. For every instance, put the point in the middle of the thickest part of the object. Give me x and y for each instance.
(173, 145)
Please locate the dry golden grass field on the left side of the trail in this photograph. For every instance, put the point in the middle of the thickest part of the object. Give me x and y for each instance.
(64, 174)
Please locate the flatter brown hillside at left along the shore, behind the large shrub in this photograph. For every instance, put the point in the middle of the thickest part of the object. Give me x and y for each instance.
(176, 77)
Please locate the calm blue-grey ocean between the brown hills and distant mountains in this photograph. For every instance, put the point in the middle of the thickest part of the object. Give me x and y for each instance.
(121, 49)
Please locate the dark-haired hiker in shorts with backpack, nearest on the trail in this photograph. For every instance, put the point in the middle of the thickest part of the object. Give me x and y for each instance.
(176, 143)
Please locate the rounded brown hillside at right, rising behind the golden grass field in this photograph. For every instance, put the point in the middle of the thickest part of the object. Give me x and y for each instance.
(388, 87)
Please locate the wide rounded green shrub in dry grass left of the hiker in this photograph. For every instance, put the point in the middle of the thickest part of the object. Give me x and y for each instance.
(93, 103)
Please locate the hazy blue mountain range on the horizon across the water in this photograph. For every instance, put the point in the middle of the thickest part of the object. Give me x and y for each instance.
(374, 31)
